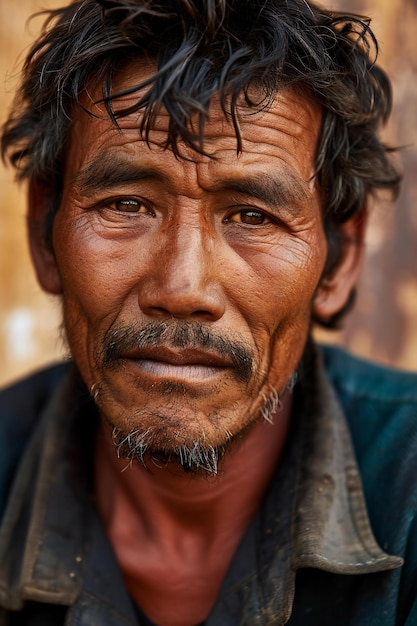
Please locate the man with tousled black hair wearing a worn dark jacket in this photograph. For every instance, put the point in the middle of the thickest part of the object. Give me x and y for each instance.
(198, 182)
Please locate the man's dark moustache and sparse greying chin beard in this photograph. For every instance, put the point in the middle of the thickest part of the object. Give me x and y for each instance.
(152, 441)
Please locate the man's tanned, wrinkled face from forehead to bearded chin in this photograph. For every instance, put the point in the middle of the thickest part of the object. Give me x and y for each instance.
(188, 283)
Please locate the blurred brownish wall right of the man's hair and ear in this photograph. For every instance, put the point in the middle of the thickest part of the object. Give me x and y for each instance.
(384, 323)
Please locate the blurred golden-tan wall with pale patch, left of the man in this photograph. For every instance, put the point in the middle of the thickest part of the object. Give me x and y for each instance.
(28, 318)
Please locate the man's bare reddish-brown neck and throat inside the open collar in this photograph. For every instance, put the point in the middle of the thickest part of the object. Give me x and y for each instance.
(164, 515)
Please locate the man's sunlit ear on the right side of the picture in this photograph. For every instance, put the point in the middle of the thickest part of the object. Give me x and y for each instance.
(335, 289)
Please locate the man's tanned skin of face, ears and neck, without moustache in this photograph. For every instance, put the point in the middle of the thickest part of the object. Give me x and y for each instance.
(235, 244)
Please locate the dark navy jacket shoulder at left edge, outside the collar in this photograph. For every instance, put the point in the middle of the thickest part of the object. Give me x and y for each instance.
(21, 404)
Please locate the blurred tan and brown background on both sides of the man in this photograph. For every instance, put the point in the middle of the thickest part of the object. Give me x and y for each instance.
(383, 326)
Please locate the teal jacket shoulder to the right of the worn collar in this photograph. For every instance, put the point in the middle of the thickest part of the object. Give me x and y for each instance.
(380, 406)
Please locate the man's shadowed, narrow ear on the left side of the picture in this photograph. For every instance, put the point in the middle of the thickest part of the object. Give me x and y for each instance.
(40, 203)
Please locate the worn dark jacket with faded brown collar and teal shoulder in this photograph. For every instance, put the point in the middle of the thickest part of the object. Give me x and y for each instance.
(308, 559)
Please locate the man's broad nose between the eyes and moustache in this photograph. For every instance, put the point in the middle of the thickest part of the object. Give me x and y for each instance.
(182, 277)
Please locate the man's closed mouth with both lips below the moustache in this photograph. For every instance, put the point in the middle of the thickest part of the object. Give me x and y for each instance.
(188, 365)
